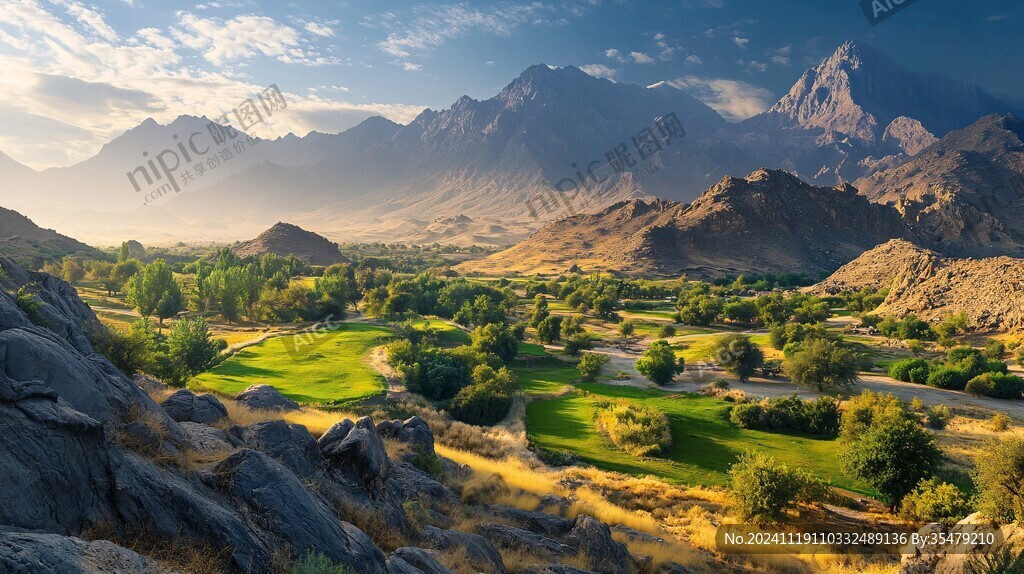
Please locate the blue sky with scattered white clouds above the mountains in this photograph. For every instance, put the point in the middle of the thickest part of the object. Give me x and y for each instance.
(77, 74)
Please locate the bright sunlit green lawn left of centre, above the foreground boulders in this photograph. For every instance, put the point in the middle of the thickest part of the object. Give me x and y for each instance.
(329, 368)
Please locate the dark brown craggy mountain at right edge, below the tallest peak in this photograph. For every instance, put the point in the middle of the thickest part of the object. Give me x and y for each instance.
(964, 195)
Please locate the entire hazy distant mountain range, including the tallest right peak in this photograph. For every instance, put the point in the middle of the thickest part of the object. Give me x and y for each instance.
(492, 161)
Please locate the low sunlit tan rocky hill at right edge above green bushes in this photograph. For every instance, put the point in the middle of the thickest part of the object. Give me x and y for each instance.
(922, 282)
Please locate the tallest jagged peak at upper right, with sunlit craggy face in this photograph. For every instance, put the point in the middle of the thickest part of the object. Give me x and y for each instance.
(858, 112)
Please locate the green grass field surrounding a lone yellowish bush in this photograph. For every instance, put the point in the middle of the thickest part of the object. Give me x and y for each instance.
(705, 444)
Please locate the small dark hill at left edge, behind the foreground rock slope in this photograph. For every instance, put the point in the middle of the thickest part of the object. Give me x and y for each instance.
(25, 242)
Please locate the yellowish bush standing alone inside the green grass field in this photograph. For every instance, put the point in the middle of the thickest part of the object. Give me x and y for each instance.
(638, 429)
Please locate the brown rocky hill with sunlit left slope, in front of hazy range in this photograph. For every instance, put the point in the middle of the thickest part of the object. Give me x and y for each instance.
(770, 222)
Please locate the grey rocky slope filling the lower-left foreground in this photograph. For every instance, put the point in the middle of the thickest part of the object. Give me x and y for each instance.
(89, 458)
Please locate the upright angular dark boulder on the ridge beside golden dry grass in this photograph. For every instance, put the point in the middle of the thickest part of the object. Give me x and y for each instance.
(357, 448)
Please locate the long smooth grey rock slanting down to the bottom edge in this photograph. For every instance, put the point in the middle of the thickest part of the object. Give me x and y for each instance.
(286, 508)
